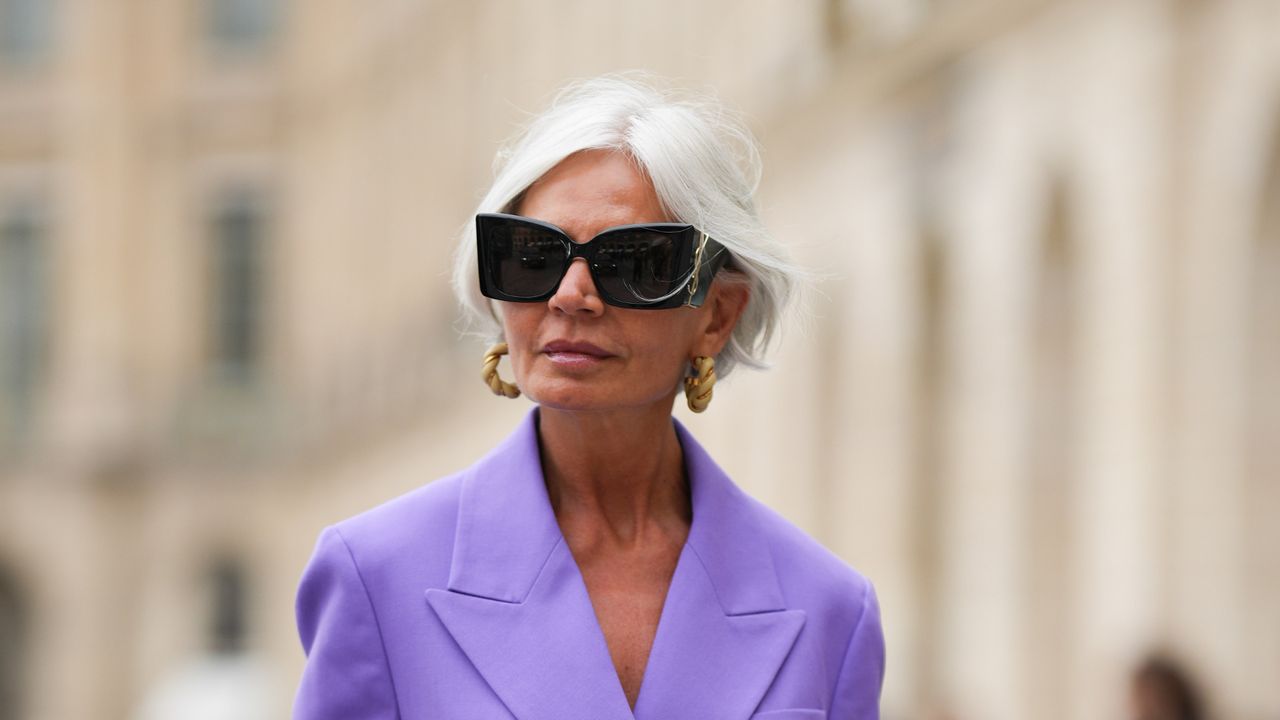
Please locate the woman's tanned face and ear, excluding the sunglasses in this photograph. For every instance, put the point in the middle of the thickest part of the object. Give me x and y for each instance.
(577, 353)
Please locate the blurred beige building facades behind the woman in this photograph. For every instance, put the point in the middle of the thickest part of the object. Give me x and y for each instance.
(1037, 398)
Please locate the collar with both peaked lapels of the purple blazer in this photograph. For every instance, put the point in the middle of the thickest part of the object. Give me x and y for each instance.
(518, 605)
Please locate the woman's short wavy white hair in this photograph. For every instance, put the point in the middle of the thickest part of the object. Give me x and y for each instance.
(705, 167)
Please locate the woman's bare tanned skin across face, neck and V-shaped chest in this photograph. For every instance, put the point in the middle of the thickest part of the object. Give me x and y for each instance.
(611, 459)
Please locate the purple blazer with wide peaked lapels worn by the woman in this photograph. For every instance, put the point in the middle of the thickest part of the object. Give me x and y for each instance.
(461, 600)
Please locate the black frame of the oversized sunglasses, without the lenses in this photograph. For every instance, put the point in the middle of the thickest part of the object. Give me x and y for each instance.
(706, 258)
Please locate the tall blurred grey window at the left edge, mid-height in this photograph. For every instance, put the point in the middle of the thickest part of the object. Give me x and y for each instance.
(22, 312)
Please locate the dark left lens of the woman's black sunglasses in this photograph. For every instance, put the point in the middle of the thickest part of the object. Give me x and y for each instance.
(523, 261)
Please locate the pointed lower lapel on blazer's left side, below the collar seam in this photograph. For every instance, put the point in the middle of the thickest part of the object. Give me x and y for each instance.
(546, 657)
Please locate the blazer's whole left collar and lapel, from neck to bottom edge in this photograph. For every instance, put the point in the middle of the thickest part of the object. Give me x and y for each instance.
(516, 603)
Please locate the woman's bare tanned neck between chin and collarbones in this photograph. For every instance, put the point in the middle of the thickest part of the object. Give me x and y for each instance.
(615, 477)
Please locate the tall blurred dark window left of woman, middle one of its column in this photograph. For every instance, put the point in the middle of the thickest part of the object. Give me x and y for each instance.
(239, 230)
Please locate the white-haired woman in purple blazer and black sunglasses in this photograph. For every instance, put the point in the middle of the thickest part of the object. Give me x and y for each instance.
(598, 564)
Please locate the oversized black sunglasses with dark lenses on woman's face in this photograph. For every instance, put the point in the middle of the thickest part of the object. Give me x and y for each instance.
(650, 266)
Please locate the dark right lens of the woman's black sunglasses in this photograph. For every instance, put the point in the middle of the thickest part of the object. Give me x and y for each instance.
(643, 266)
